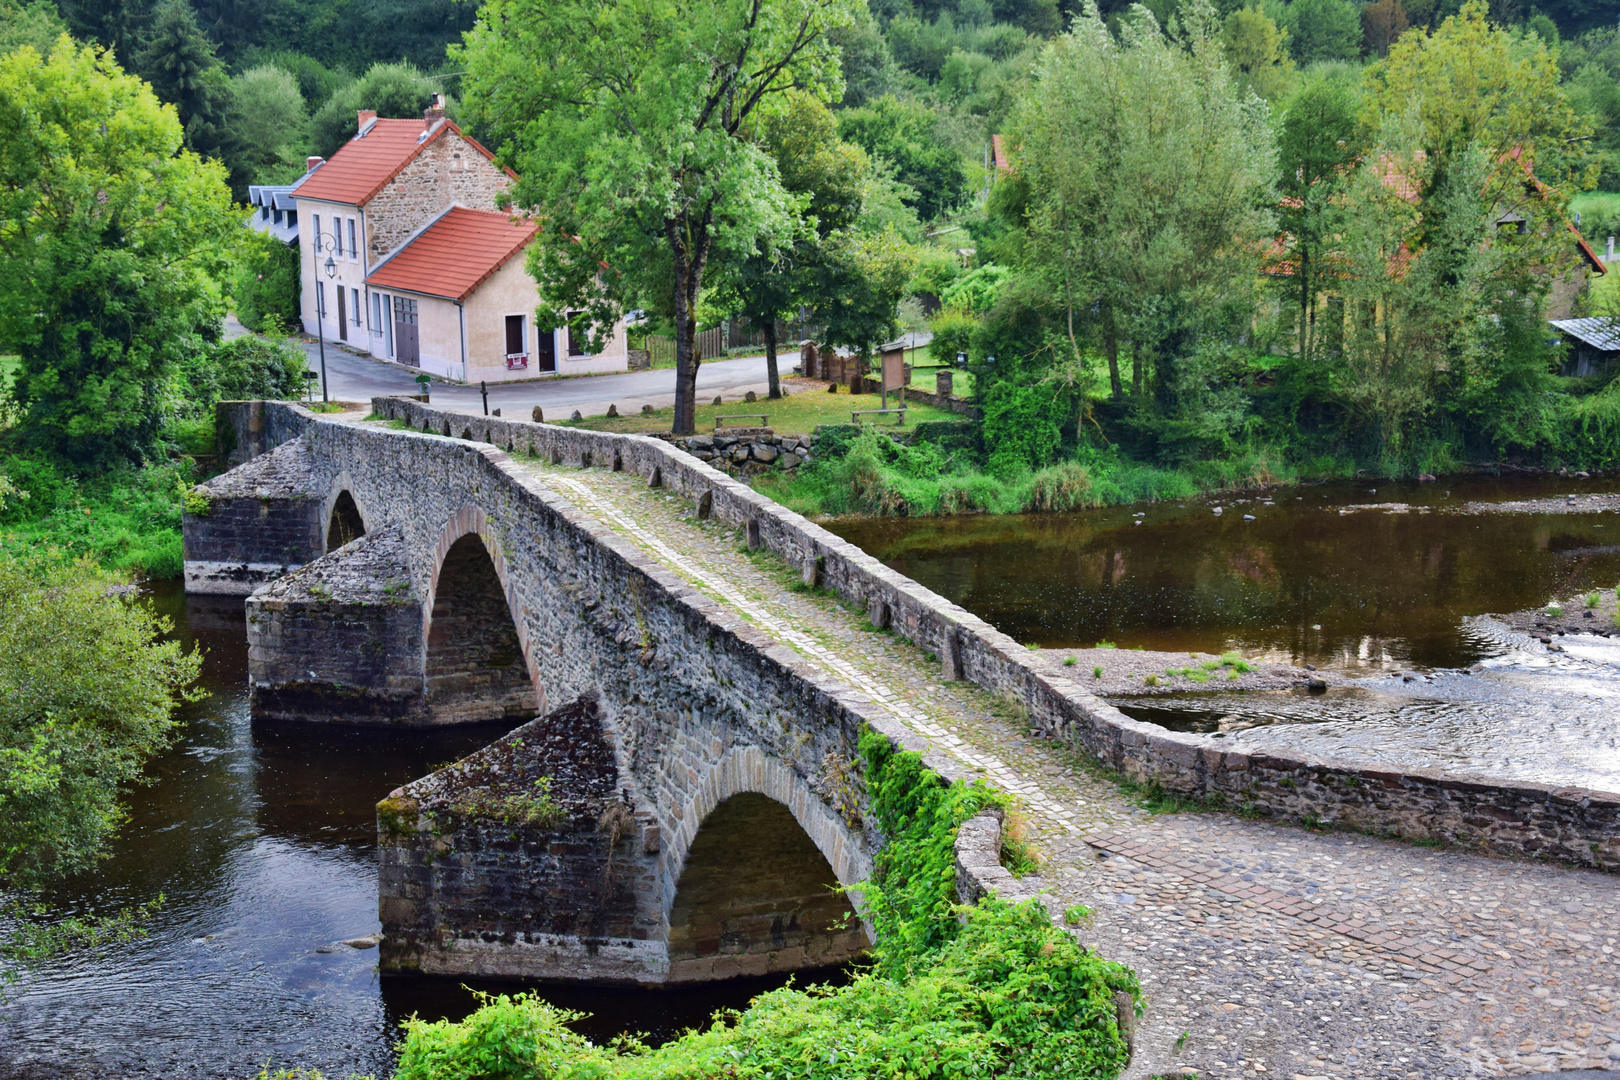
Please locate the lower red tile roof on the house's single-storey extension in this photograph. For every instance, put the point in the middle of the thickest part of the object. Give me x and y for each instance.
(456, 253)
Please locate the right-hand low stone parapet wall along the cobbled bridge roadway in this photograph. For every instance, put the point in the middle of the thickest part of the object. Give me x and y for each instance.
(1504, 817)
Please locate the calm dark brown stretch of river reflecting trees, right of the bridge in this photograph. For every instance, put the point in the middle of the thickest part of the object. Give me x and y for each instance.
(1375, 582)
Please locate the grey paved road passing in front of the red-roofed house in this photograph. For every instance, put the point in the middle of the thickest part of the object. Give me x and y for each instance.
(356, 378)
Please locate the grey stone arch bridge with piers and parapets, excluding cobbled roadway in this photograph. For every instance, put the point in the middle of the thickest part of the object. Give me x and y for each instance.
(689, 797)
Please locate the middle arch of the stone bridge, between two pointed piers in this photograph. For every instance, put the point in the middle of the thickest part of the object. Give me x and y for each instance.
(479, 661)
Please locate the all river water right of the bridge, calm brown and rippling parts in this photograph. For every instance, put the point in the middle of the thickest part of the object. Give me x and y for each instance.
(1334, 577)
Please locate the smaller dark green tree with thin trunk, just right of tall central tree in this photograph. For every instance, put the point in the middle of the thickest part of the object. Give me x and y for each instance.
(827, 176)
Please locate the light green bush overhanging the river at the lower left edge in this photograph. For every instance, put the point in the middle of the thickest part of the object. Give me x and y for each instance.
(87, 699)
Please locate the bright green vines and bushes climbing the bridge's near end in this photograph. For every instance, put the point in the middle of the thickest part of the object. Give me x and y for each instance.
(1002, 993)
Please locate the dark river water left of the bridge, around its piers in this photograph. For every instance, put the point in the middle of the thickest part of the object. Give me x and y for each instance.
(262, 840)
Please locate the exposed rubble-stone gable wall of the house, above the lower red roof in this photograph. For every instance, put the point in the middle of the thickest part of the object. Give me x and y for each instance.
(450, 171)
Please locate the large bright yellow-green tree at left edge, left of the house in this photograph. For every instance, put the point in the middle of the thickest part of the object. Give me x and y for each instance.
(113, 239)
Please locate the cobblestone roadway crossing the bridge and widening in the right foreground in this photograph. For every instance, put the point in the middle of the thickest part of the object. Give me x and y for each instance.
(1264, 951)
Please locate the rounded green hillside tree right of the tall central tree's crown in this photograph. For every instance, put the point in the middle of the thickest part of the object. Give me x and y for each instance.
(911, 138)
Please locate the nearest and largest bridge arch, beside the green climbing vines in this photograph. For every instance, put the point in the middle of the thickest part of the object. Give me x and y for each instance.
(754, 875)
